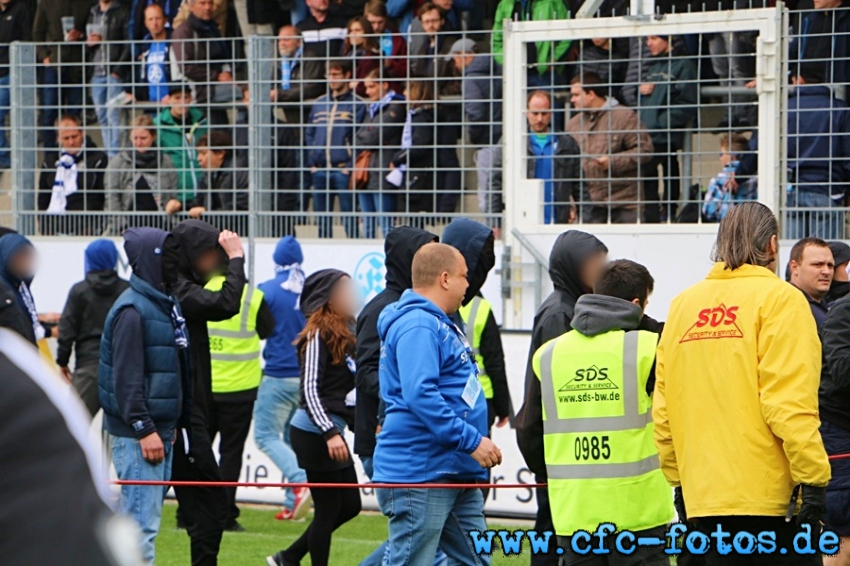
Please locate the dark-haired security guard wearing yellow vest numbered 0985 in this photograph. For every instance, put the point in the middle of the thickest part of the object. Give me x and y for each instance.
(596, 383)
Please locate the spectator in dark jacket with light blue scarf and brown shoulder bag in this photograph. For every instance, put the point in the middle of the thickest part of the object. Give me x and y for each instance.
(380, 135)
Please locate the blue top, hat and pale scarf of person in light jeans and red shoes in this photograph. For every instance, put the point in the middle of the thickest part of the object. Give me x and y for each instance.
(279, 353)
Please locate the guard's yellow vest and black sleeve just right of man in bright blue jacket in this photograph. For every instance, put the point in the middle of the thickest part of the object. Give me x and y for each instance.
(483, 335)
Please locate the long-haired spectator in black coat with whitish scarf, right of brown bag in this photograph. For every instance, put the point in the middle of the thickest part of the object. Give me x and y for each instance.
(416, 161)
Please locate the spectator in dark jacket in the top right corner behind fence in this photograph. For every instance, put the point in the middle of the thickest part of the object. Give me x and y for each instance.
(824, 39)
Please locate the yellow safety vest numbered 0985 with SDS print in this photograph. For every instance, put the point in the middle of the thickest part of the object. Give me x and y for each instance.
(601, 458)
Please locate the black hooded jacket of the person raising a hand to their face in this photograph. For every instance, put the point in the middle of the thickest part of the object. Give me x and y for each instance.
(201, 306)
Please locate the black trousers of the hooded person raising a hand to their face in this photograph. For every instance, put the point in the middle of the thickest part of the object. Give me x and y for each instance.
(203, 509)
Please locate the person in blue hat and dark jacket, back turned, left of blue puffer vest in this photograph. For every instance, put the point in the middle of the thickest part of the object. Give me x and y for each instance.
(81, 324)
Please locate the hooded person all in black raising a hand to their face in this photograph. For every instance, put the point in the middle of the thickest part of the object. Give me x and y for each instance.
(204, 252)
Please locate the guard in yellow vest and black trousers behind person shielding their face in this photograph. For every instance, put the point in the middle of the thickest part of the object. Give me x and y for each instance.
(236, 375)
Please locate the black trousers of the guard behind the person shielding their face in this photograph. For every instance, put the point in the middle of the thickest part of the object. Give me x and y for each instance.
(231, 420)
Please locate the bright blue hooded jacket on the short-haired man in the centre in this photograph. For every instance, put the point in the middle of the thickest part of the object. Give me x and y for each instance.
(429, 431)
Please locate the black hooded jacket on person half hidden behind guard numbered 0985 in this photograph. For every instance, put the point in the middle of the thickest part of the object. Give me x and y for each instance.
(571, 250)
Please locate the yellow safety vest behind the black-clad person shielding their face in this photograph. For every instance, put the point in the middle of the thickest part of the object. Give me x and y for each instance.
(235, 345)
